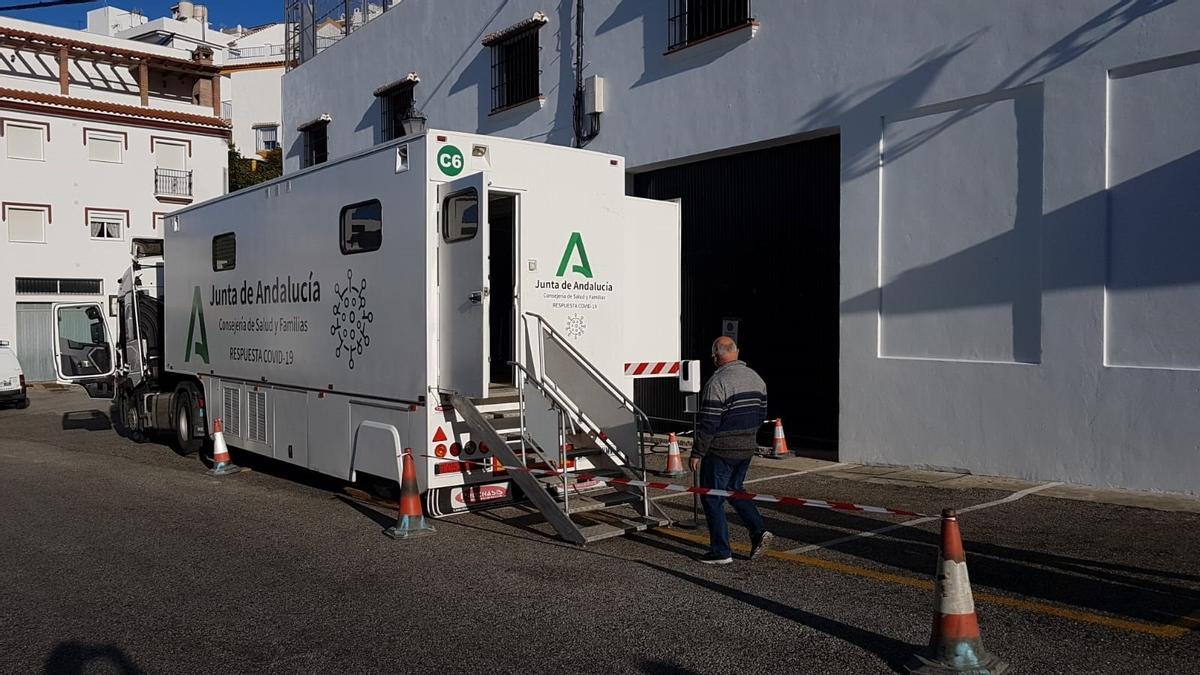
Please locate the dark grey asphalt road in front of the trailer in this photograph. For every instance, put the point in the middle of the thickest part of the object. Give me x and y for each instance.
(127, 558)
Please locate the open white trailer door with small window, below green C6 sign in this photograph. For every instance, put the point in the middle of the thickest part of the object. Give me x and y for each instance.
(464, 290)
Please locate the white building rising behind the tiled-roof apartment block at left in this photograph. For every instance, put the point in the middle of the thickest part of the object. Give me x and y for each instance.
(251, 64)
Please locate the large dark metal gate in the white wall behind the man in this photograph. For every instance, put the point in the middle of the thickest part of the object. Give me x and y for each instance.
(761, 248)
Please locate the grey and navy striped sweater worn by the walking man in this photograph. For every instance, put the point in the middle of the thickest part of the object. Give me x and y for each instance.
(733, 408)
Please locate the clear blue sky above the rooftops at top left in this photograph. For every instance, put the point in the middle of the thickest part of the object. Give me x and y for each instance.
(221, 13)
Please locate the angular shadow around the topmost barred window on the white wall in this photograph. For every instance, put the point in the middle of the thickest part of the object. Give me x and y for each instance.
(657, 64)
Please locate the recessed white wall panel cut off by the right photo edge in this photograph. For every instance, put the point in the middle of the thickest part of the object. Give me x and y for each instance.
(1154, 282)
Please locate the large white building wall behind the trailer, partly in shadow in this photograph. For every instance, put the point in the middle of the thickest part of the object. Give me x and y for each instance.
(1018, 292)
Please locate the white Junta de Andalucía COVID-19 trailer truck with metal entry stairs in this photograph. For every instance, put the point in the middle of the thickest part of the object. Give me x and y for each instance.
(473, 298)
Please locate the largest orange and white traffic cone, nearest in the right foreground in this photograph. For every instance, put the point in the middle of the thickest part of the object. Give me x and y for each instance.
(956, 646)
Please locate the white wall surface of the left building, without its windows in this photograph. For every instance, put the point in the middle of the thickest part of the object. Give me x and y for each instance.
(69, 183)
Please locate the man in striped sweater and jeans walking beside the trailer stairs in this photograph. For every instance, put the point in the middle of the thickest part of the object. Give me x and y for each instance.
(733, 408)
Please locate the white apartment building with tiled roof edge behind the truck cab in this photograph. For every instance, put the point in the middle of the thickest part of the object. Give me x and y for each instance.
(100, 139)
